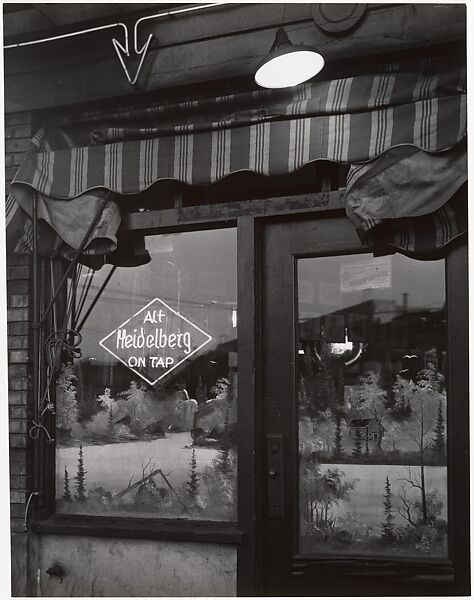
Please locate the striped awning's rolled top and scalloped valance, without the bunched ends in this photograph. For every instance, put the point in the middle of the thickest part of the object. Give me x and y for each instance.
(352, 120)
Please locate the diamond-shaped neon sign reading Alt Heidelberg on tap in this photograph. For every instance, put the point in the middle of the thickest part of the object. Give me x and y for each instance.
(155, 341)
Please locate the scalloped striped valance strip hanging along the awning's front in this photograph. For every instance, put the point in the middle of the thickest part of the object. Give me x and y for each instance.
(266, 147)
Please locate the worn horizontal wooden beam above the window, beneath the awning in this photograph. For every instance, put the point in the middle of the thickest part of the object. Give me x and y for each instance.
(229, 211)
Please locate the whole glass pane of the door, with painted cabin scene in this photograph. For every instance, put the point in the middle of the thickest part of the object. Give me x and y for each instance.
(371, 390)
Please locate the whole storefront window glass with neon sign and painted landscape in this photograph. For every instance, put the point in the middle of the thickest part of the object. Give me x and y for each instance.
(146, 418)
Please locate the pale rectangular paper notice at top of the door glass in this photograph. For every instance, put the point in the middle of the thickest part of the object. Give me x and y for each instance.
(367, 274)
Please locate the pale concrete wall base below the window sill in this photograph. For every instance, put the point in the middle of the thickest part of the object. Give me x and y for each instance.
(119, 567)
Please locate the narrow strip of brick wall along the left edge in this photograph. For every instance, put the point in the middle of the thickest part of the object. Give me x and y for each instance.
(18, 131)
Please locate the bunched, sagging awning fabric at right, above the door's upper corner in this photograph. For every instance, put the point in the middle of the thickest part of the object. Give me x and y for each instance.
(415, 199)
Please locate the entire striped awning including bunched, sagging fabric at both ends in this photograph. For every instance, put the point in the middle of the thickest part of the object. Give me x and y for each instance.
(409, 112)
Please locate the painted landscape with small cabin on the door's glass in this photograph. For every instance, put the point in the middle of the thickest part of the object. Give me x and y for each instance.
(373, 470)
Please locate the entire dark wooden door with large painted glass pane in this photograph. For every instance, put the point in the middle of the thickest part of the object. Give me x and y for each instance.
(356, 415)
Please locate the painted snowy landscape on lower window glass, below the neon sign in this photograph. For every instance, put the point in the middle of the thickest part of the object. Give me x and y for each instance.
(147, 454)
